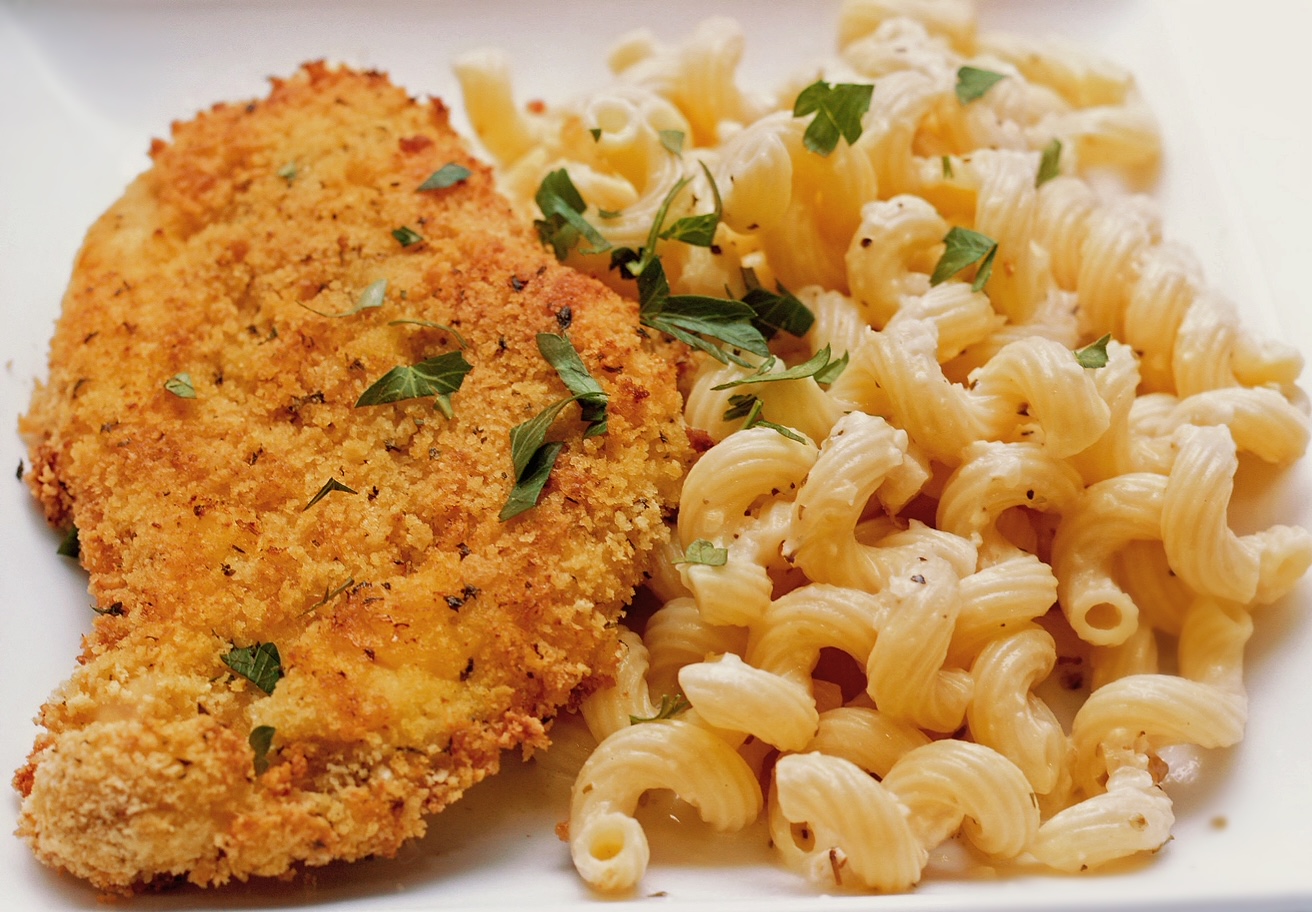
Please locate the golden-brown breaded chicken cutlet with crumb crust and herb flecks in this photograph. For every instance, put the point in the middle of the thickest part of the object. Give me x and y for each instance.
(200, 430)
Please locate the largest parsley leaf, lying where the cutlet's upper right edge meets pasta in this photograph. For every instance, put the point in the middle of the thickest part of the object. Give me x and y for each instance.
(689, 317)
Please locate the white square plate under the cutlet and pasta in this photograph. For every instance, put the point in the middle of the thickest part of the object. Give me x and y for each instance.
(83, 89)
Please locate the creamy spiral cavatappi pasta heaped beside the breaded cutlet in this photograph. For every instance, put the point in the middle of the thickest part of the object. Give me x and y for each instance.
(968, 505)
